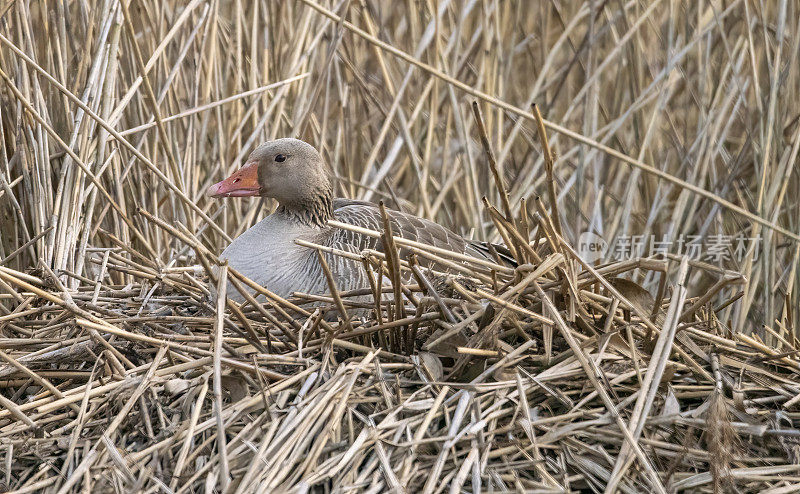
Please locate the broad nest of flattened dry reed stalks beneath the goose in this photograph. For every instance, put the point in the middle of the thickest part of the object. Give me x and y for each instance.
(550, 376)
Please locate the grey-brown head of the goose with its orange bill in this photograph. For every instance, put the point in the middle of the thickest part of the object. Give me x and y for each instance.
(288, 170)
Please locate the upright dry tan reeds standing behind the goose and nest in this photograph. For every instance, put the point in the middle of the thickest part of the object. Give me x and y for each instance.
(702, 91)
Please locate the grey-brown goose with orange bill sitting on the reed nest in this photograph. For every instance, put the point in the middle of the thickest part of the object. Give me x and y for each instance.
(293, 173)
